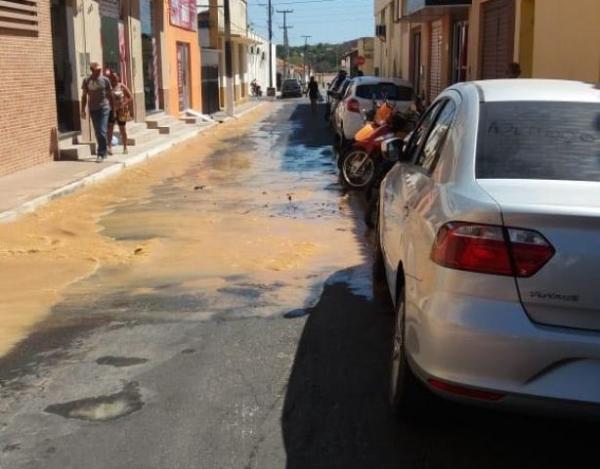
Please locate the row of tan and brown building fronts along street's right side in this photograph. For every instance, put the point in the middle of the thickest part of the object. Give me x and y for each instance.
(435, 43)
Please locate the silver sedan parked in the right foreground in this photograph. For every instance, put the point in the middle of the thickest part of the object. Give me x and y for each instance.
(489, 233)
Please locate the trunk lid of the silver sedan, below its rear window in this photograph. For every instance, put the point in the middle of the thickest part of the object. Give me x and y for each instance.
(566, 291)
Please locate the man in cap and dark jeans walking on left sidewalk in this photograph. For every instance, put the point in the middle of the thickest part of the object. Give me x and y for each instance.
(95, 96)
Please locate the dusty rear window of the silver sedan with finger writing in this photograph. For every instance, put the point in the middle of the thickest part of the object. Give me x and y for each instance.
(539, 140)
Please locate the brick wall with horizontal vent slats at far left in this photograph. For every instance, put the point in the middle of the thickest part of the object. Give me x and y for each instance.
(28, 129)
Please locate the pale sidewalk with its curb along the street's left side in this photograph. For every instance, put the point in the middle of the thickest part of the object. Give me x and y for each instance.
(25, 191)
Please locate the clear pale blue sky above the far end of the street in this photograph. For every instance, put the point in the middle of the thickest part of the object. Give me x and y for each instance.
(324, 20)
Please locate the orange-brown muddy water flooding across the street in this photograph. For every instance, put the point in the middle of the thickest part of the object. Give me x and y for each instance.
(234, 222)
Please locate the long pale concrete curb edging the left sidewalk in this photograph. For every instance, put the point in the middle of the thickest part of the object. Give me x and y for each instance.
(8, 216)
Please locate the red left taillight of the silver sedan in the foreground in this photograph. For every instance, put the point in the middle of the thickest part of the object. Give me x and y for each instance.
(491, 249)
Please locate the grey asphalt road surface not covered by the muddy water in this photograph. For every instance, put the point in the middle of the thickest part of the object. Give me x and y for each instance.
(116, 381)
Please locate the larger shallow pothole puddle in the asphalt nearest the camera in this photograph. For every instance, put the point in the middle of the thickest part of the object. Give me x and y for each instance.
(102, 408)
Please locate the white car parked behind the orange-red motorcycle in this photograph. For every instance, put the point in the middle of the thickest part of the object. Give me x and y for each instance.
(359, 97)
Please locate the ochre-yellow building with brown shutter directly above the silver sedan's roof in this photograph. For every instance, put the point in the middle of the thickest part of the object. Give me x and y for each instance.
(547, 38)
